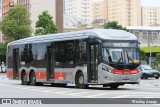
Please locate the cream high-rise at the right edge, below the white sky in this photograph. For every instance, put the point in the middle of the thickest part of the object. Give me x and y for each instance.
(150, 16)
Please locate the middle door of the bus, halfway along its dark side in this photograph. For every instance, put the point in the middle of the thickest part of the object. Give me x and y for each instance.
(50, 63)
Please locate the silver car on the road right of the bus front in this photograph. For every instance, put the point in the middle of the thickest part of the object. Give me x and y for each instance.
(147, 71)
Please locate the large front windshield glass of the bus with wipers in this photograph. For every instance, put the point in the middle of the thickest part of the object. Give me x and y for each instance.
(120, 55)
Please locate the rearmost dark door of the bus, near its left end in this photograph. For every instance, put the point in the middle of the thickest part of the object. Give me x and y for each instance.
(15, 63)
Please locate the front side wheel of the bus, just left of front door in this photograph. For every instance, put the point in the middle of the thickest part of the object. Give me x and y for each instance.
(80, 81)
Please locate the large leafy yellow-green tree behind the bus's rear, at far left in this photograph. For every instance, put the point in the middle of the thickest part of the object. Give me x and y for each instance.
(16, 25)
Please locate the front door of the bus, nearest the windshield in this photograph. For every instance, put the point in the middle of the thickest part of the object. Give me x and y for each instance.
(93, 63)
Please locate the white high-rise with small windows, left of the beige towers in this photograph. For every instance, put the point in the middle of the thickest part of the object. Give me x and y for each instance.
(81, 9)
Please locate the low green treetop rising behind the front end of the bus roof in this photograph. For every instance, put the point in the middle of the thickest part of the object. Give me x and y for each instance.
(114, 25)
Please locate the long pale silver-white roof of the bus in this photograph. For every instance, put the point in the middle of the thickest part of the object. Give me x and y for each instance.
(106, 34)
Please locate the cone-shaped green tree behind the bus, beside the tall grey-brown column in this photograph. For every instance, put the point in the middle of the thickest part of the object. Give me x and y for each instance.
(45, 24)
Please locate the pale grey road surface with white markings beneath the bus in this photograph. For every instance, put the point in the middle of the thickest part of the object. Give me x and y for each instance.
(13, 89)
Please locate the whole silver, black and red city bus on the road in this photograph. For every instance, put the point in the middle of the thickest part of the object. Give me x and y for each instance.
(93, 57)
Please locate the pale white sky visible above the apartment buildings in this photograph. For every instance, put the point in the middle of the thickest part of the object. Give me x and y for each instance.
(147, 2)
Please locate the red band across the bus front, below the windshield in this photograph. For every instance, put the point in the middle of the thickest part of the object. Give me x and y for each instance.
(125, 72)
